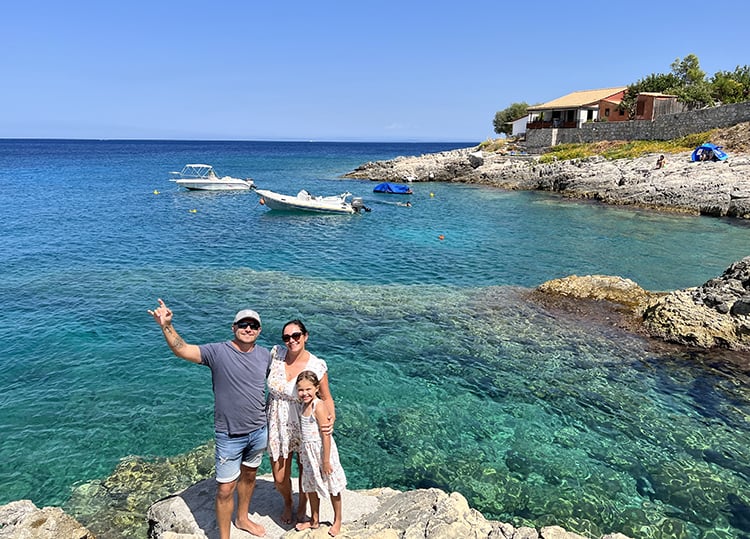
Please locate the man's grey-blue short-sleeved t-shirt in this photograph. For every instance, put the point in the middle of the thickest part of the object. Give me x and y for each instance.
(239, 383)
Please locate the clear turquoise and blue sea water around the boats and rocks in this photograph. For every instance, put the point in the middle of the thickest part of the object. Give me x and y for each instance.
(444, 372)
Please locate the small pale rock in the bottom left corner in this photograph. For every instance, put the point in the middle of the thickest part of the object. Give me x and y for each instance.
(24, 520)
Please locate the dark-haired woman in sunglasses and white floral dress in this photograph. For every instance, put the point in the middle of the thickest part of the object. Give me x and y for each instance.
(284, 408)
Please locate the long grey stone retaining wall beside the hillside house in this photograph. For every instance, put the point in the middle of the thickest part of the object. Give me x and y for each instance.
(665, 127)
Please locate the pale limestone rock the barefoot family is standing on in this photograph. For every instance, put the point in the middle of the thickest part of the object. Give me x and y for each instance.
(374, 514)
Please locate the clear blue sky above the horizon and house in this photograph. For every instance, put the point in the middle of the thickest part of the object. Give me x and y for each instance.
(325, 70)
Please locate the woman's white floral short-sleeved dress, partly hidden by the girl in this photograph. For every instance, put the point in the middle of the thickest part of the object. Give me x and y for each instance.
(283, 407)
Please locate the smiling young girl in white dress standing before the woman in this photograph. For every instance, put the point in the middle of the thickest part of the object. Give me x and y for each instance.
(322, 474)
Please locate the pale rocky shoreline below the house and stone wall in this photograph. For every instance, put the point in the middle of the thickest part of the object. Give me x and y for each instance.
(720, 189)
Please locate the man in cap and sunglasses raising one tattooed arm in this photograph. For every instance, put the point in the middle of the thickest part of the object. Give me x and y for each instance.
(238, 370)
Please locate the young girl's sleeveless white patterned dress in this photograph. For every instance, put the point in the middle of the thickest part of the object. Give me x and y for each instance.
(311, 454)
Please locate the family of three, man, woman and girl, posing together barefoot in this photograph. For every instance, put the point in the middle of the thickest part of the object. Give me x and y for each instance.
(246, 425)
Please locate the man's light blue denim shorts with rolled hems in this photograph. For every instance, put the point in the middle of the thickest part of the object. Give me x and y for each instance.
(237, 449)
